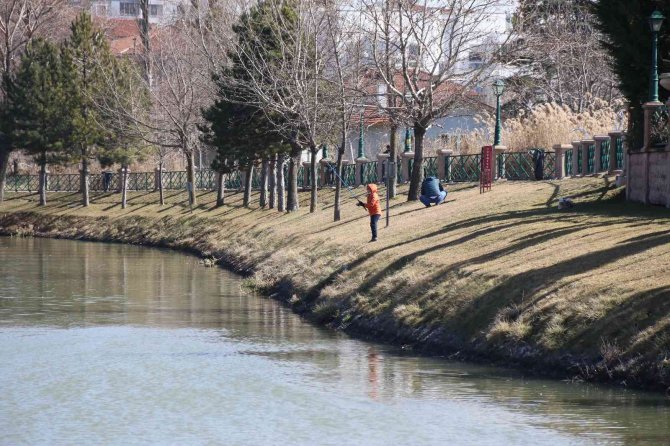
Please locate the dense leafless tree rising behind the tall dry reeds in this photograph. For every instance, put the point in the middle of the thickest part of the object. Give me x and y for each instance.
(560, 58)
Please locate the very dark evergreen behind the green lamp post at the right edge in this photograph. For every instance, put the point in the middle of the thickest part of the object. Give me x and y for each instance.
(628, 40)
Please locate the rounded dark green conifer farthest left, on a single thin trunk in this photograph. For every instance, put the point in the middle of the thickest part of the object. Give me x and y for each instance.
(40, 97)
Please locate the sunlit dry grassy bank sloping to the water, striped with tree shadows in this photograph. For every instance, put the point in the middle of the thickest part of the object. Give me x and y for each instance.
(582, 293)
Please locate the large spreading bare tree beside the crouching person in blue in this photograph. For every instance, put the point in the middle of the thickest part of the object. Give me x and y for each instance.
(429, 44)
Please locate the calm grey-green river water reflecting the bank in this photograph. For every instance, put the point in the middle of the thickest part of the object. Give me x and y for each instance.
(113, 344)
